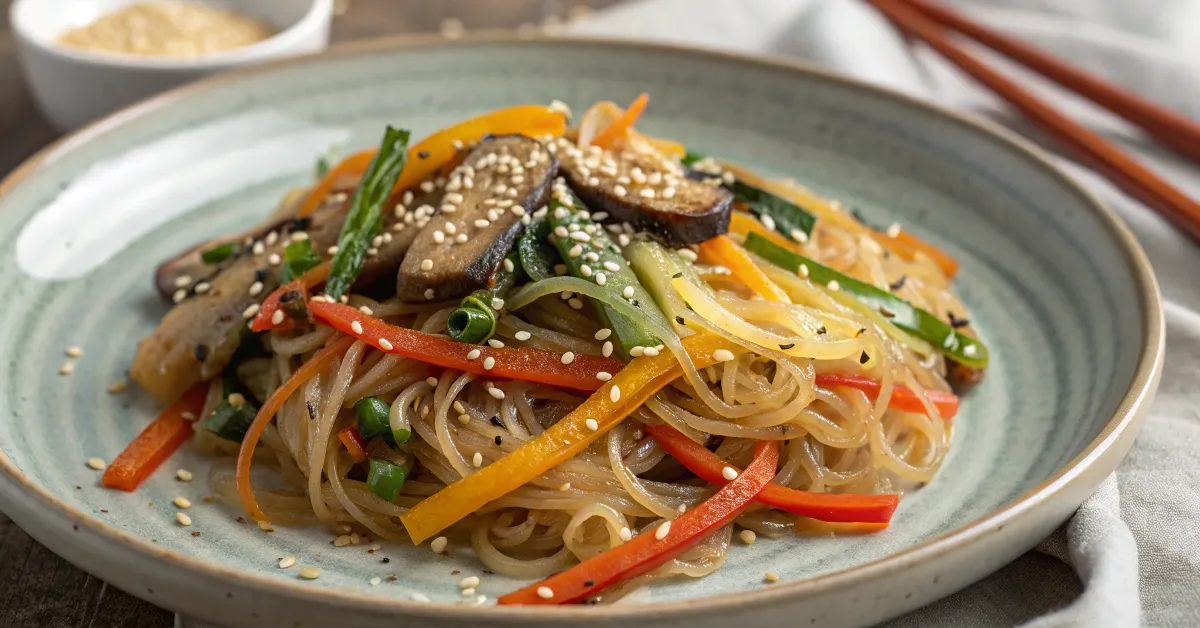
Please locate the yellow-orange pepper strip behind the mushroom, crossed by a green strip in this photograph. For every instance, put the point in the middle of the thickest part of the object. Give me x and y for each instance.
(533, 121)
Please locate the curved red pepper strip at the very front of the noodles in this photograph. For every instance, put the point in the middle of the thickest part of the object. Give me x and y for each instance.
(651, 549)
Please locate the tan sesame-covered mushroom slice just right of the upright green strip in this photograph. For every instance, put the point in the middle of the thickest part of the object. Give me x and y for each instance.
(509, 176)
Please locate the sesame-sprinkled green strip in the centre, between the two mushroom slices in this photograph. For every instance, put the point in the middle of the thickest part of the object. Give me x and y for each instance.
(627, 333)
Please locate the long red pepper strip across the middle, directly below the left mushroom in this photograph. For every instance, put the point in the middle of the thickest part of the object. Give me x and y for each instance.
(532, 366)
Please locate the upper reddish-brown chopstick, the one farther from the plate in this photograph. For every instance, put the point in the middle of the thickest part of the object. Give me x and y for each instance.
(1169, 128)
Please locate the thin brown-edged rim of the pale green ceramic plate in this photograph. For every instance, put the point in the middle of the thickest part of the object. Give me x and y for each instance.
(1096, 458)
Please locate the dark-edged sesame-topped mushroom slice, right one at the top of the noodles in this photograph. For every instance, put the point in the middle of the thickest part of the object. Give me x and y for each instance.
(650, 193)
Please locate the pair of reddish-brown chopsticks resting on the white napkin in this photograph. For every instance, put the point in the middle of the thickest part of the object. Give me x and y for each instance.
(932, 25)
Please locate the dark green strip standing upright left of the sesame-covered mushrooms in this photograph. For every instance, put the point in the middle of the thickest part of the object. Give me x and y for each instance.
(365, 217)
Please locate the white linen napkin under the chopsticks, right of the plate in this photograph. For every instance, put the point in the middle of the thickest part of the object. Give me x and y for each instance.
(1135, 547)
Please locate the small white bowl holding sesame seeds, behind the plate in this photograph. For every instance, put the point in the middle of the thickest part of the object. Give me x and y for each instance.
(75, 87)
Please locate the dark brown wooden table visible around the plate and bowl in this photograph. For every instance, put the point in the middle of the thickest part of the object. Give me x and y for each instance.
(38, 589)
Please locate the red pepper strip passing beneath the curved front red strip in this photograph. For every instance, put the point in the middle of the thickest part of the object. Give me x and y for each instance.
(821, 506)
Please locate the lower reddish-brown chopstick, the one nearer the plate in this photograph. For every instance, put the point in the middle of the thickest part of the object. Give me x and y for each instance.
(1103, 157)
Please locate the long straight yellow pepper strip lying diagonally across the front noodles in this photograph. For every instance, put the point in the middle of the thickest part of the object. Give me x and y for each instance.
(608, 406)
